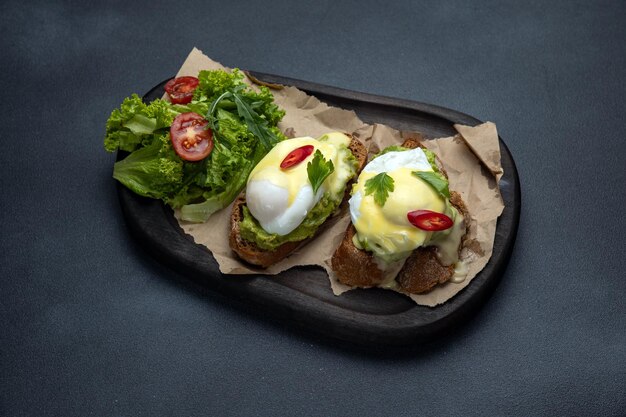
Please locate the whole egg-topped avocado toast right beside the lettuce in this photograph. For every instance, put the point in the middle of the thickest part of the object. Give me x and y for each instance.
(291, 193)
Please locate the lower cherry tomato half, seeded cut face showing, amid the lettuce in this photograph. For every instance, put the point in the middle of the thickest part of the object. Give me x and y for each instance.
(191, 137)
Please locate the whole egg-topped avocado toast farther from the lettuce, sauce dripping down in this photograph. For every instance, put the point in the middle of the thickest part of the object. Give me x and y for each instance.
(407, 227)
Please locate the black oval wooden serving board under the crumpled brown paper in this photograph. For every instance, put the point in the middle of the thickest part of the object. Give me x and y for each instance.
(302, 296)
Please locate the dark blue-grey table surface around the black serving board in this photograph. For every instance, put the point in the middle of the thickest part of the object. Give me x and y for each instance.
(92, 325)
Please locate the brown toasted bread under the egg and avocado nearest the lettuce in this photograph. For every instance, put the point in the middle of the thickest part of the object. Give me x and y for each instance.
(249, 251)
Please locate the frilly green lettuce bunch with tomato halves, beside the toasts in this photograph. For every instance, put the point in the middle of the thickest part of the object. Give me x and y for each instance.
(244, 124)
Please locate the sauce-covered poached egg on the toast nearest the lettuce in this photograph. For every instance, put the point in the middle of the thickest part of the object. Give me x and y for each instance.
(280, 198)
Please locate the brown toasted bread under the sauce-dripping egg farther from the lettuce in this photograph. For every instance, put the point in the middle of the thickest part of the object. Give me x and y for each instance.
(421, 271)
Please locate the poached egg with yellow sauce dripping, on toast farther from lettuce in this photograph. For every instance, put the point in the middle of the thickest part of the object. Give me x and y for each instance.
(386, 231)
